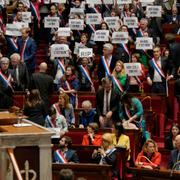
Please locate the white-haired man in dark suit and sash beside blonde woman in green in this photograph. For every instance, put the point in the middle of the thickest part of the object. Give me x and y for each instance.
(107, 59)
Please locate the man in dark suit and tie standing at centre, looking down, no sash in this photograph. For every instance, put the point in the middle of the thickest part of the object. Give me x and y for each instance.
(107, 100)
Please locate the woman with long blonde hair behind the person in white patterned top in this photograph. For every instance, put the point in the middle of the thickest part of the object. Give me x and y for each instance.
(65, 108)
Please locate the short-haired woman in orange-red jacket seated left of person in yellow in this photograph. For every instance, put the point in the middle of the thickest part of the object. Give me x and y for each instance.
(92, 138)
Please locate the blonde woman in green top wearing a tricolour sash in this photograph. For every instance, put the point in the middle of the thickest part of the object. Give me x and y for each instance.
(120, 75)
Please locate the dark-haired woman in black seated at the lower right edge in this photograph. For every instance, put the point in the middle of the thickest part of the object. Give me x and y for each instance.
(170, 140)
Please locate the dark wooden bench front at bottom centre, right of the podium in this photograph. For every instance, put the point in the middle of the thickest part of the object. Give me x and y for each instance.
(88, 171)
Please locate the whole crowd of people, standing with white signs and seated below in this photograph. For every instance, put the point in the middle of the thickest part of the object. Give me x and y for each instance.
(102, 70)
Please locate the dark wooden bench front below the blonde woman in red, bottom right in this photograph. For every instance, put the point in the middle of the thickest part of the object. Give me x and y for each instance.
(146, 174)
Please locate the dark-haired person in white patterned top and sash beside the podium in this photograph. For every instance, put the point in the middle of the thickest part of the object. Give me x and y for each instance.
(56, 122)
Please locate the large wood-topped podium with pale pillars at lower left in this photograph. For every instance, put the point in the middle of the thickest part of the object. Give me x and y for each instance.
(25, 141)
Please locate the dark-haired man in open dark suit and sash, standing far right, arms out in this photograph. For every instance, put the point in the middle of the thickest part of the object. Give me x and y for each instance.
(160, 72)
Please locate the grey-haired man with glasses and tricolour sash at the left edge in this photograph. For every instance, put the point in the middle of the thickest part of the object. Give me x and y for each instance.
(6, 90)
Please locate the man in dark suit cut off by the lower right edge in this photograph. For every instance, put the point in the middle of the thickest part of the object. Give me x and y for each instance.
(174, 160)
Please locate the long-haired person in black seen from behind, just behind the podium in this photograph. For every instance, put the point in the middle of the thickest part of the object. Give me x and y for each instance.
(34, 108)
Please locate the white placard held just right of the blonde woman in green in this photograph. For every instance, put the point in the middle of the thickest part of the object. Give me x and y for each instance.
(133, 69)
